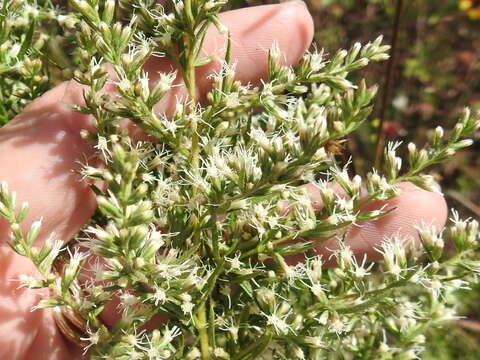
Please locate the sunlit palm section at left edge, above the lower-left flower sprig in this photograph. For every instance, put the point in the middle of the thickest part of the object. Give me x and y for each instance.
(39, 150)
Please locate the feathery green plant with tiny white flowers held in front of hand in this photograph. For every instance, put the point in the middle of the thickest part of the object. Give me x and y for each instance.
(199, 225)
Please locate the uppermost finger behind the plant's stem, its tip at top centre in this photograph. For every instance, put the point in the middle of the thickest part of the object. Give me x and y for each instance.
(253, 31)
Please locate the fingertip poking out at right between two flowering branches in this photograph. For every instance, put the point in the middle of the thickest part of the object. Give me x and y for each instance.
(412, 207)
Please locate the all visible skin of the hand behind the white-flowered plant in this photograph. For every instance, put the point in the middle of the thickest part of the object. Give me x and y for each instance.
(40, 148)
